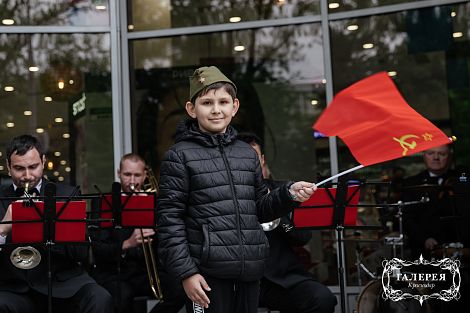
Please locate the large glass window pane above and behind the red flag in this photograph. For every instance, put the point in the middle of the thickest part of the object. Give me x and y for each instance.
(423, 55)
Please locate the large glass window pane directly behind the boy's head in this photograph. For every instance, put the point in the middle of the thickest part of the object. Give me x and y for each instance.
(279, 76)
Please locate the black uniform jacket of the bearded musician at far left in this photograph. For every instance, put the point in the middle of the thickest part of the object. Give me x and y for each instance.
(68, 275)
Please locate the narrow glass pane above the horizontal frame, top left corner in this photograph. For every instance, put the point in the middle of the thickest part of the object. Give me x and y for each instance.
(58, 12)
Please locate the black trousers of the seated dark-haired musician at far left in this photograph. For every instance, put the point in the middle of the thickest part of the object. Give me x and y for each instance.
(91, 298)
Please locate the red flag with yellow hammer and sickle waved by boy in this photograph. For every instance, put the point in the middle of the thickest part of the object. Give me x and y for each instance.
(376, 123)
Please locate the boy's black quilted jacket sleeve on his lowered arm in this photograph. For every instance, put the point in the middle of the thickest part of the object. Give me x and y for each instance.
(171, 212)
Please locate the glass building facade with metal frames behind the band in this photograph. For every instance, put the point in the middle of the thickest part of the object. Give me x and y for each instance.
(94, 79)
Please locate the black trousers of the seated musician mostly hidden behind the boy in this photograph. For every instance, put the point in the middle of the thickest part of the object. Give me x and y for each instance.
(308, 296)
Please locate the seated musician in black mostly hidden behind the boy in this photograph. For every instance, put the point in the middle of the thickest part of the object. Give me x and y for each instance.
(287, 286)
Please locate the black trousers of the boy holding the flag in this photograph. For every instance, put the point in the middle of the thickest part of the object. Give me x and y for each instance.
(228, 296)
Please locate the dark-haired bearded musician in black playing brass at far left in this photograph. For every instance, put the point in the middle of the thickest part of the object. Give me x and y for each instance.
(26, 290)
